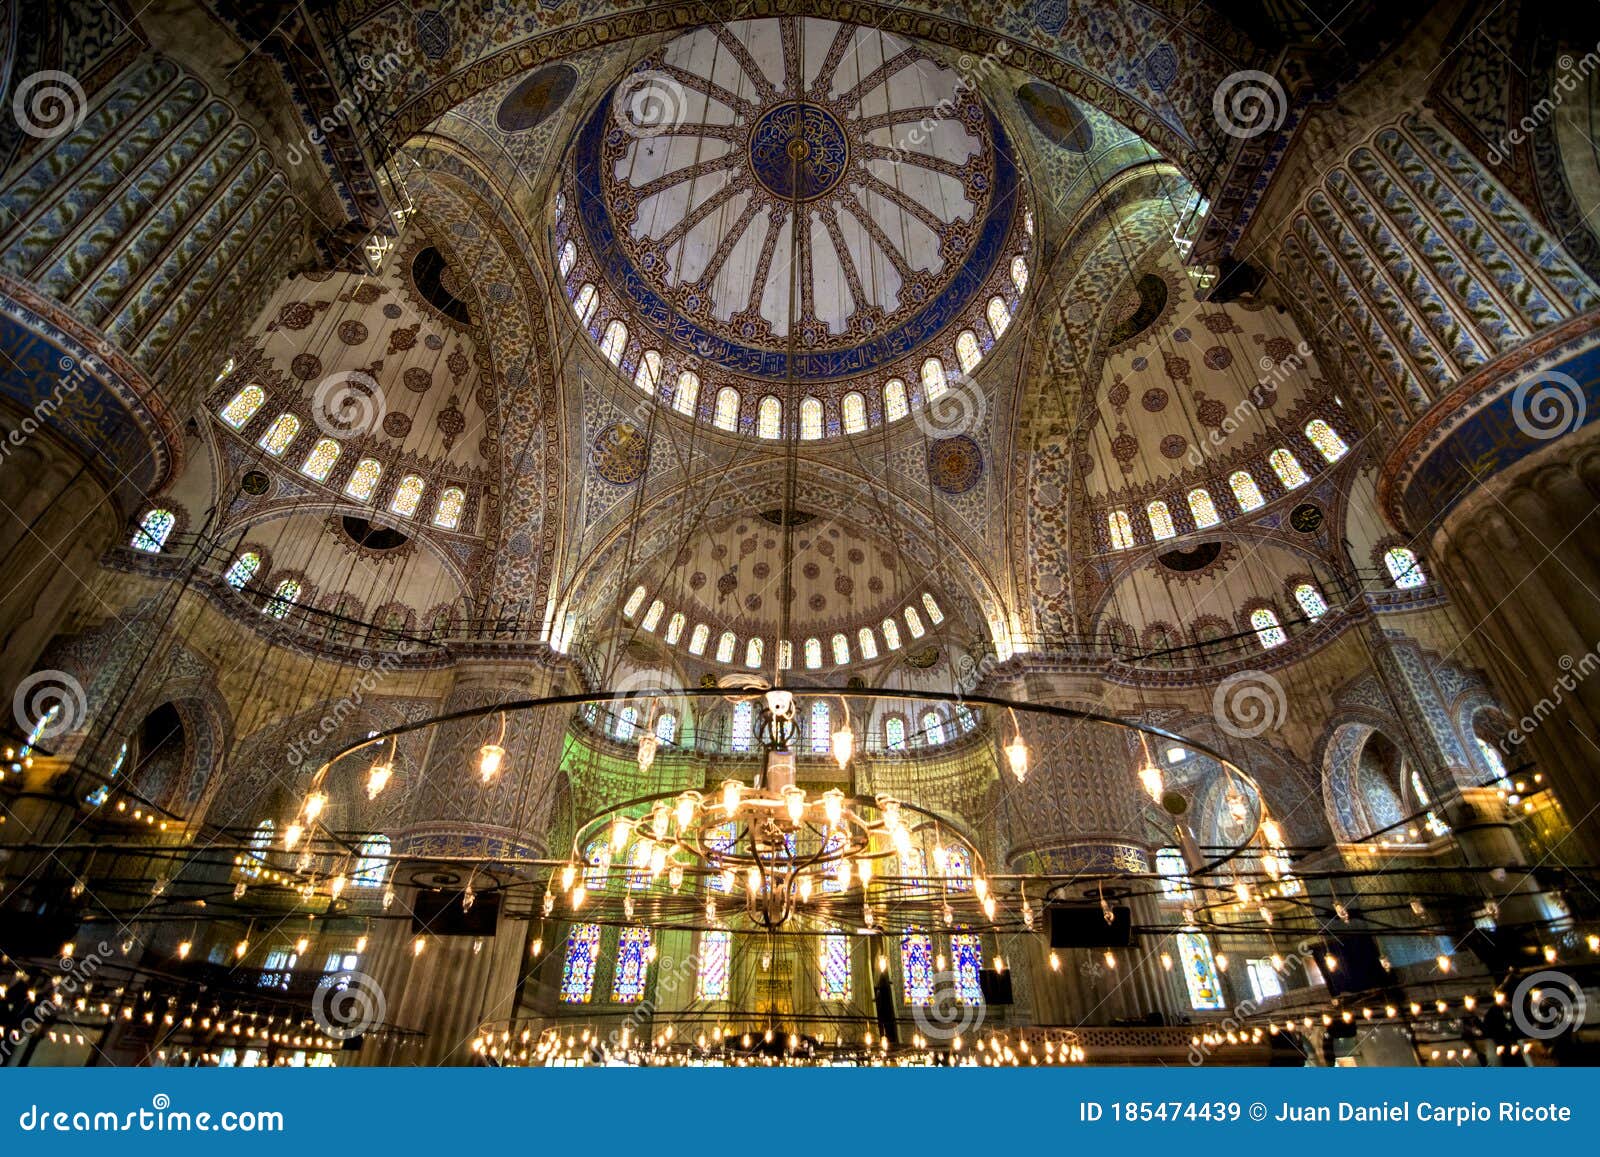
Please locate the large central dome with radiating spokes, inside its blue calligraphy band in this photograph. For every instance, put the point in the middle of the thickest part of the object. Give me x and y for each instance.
(794, 198)
